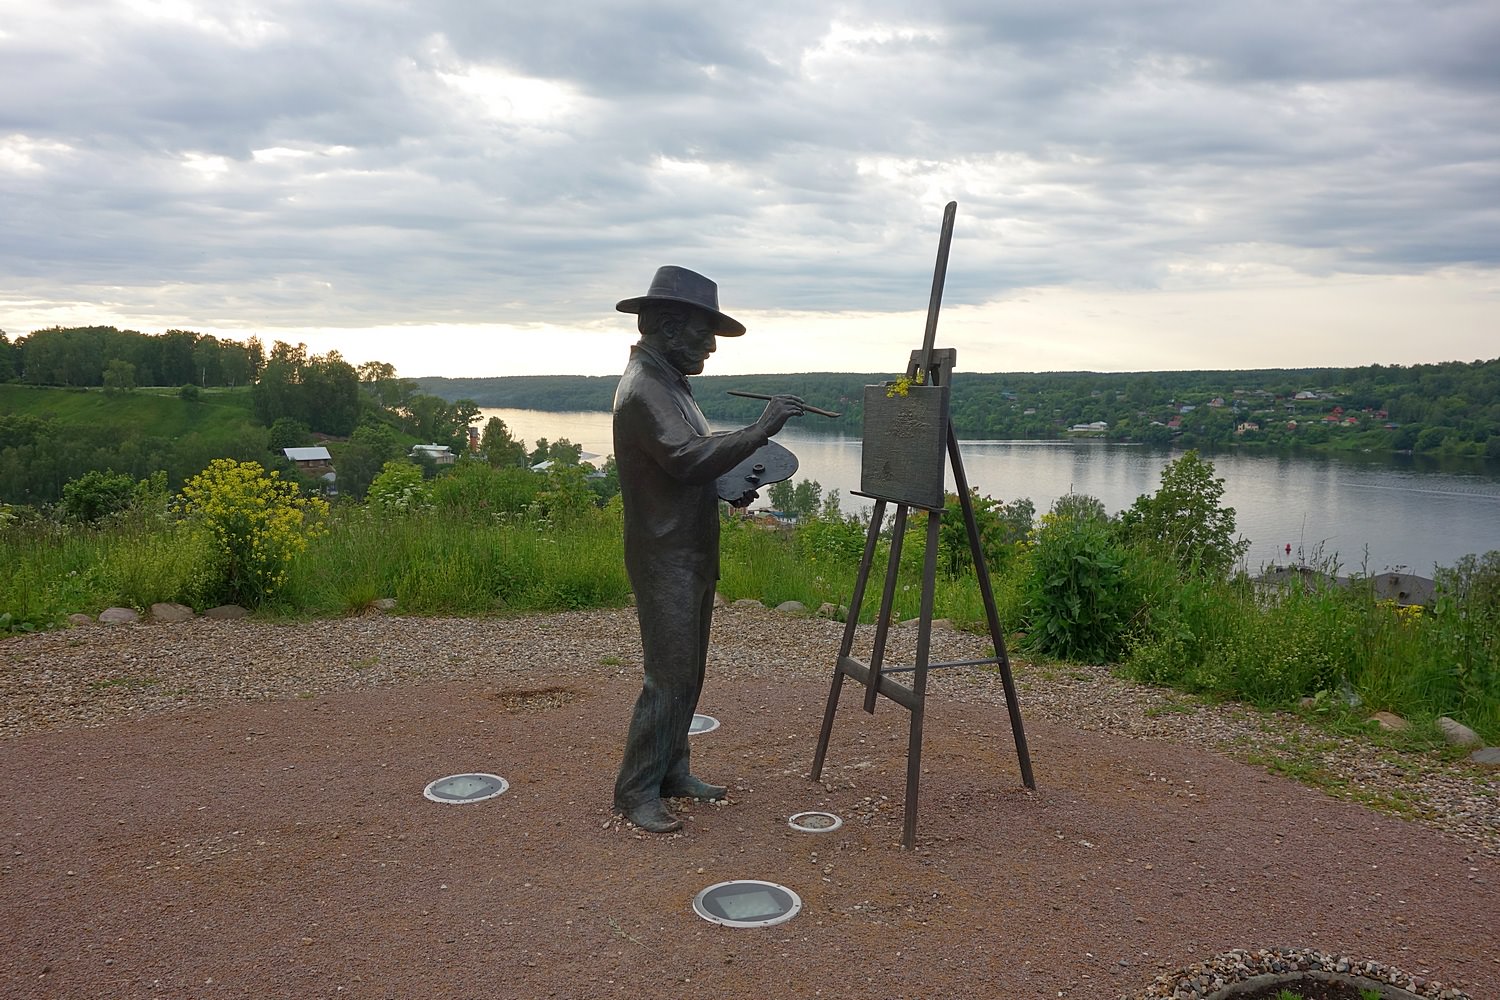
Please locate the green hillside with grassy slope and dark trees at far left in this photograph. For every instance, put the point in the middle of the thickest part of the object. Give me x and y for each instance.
(73, 404)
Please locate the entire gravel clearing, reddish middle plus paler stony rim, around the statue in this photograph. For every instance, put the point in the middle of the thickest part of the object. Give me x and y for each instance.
(1148, 846)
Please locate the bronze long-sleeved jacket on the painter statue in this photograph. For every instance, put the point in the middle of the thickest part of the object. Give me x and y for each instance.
(668, 464)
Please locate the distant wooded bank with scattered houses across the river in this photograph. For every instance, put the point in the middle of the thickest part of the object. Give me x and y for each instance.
(1450, 410)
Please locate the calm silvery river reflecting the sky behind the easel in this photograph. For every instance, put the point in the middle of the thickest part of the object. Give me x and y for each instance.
(1370, 512)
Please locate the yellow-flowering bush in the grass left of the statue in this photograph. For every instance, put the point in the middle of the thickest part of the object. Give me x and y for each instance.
(257, 524)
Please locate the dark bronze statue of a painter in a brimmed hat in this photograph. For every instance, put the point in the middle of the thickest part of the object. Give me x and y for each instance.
(668, 464)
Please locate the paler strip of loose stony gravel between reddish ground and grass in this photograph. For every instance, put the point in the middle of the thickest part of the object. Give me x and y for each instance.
(103, 674)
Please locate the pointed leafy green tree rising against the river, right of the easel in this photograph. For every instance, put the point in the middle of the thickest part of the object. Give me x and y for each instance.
(1187, 519)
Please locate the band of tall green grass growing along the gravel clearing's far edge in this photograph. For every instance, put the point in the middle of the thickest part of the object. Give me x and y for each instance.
(1225, 638)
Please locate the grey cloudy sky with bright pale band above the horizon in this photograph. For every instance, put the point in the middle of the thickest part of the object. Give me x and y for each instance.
(467, 188)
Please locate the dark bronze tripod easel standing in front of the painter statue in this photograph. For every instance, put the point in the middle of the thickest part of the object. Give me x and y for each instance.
(913, 487)
